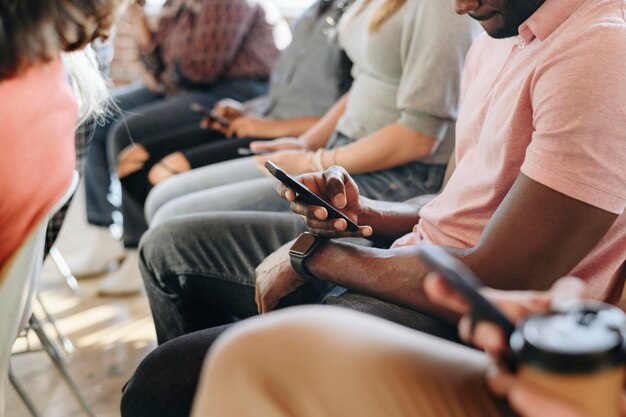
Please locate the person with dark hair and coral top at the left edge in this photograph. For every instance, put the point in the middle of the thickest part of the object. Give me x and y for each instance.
(38, 155)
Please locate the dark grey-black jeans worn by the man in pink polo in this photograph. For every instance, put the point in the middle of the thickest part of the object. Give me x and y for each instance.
(199, 276)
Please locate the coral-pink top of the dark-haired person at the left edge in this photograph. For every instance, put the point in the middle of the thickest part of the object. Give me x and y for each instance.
(37, 154)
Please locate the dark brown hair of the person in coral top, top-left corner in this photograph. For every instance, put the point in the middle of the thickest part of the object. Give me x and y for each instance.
(37, 31)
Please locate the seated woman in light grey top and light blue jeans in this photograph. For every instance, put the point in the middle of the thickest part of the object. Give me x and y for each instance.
(394, 129)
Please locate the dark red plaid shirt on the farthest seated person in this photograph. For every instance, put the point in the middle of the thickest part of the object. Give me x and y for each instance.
(203, 41)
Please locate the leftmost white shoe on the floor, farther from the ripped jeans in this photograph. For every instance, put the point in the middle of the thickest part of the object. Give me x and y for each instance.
(99, 252)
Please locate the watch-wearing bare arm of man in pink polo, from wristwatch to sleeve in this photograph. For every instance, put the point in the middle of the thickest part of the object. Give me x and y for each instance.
(536, 236)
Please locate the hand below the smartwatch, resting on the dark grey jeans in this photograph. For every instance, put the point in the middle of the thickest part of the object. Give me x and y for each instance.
(275, 279)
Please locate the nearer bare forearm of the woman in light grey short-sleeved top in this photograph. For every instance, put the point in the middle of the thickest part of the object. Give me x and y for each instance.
(390, 146)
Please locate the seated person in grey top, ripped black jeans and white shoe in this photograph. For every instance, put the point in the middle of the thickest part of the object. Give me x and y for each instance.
(309, 76)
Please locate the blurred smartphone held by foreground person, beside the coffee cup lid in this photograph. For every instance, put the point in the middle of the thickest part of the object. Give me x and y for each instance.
(463, 280)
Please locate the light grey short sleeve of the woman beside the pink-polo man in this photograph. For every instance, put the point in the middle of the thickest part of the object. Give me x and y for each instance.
(434, 44)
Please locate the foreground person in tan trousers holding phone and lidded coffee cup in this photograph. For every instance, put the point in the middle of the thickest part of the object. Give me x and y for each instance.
(303, 361)
